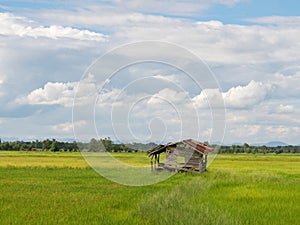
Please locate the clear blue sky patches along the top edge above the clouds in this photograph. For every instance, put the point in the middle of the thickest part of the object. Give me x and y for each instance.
(235, 13)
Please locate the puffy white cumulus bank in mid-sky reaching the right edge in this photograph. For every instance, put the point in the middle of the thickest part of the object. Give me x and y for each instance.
(254, 93)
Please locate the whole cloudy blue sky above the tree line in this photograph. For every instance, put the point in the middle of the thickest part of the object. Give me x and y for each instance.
(63, 71)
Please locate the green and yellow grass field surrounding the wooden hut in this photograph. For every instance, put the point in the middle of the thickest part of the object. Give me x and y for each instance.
(60, 188)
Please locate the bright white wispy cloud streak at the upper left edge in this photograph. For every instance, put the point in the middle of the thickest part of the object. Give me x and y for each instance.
(19, 26)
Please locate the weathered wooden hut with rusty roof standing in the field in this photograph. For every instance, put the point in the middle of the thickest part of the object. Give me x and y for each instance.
(187, 155)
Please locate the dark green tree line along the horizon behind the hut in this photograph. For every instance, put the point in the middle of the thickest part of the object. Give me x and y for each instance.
(107, 144)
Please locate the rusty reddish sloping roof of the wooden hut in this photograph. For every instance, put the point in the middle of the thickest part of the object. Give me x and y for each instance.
(196, 145)
